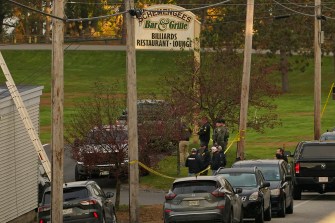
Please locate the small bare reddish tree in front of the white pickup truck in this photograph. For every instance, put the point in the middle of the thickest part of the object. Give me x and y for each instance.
(93, 130)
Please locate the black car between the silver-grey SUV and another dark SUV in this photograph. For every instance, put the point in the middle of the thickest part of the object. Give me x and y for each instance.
(256, 193)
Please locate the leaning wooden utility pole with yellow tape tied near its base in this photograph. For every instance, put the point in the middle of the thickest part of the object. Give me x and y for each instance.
(246, 77)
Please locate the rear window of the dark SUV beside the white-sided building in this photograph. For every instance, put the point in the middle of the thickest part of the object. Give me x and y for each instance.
(68, 194)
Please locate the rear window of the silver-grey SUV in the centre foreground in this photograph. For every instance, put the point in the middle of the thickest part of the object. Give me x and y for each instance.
(189, 187)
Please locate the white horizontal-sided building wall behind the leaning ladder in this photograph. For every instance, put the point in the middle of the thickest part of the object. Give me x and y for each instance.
(18, 158)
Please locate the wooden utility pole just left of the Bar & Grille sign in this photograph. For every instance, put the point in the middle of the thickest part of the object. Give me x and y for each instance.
(132, 117)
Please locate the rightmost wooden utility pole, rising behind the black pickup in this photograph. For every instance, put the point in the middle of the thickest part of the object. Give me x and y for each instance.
(317, 70)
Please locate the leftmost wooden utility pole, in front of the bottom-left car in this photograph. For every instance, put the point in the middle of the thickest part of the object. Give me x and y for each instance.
(57, 94)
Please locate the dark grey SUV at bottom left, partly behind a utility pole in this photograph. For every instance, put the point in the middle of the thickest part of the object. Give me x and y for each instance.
(83, 201)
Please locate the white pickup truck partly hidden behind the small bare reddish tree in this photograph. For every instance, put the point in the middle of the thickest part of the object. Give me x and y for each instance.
(105, 153)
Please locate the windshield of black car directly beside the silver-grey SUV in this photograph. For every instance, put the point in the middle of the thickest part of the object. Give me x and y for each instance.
(240, 179)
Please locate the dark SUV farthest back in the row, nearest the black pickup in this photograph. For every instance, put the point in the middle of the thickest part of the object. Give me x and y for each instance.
(279, 174)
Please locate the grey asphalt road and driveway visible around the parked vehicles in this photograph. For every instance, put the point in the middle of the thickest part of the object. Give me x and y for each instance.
(312, 208)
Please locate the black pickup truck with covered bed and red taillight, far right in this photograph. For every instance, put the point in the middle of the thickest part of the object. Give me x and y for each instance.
(314, 167)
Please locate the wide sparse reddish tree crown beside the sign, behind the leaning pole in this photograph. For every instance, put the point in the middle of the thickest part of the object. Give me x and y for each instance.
(219, 89)
